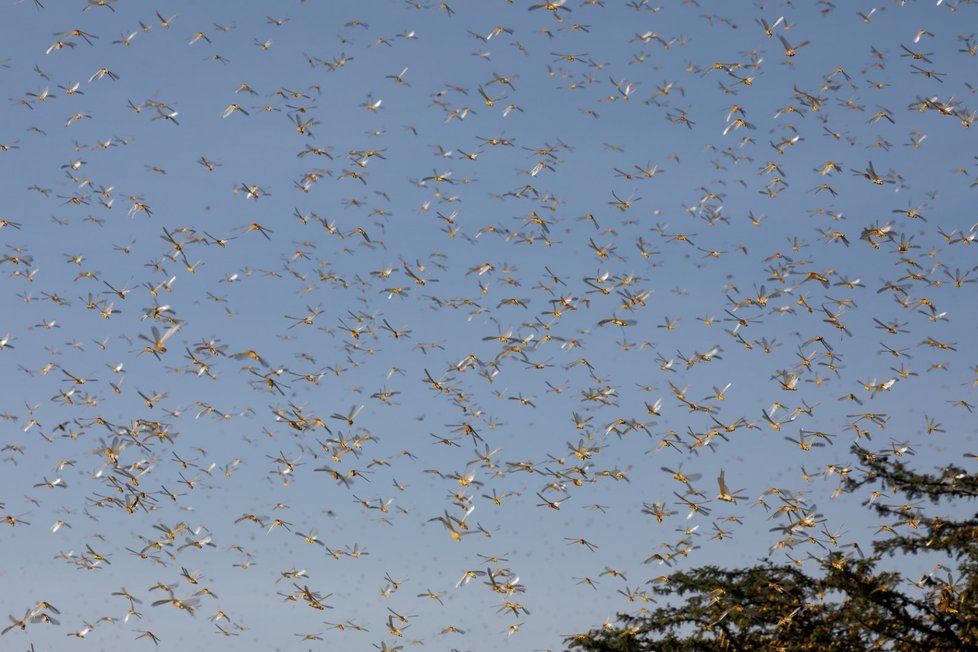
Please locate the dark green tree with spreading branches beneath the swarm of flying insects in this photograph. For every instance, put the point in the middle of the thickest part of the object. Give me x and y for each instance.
(851, 605)
